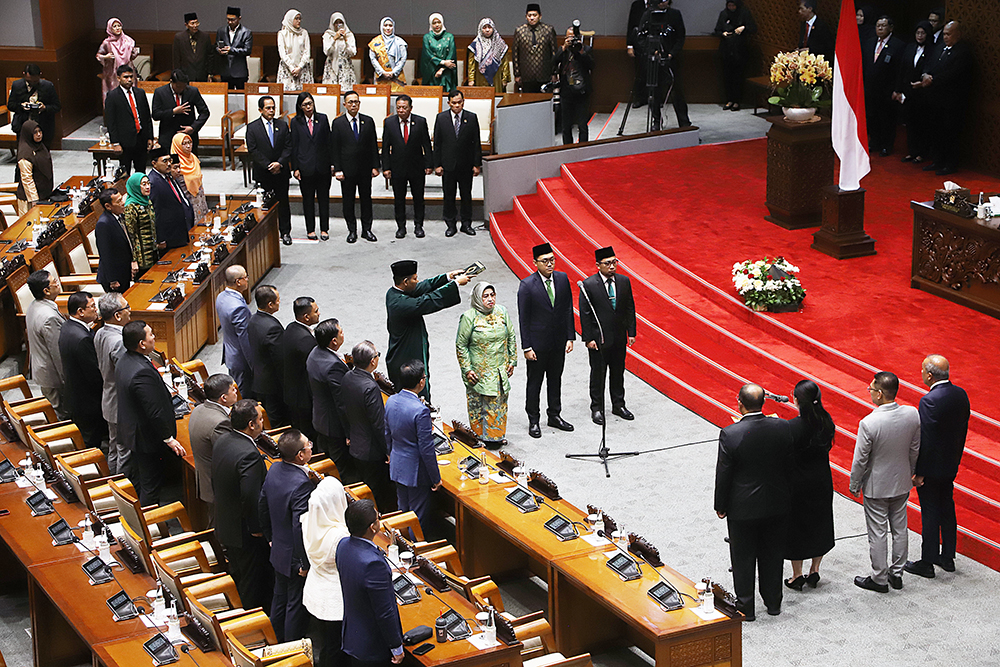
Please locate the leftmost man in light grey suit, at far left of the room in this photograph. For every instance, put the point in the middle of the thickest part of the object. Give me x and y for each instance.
(44, 324)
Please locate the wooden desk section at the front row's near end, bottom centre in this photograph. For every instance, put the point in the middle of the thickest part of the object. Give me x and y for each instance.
(594, 608)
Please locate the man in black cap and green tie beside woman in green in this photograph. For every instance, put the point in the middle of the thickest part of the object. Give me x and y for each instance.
(545, 311)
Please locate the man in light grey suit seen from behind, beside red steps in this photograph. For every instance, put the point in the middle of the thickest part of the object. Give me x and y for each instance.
(885, 457)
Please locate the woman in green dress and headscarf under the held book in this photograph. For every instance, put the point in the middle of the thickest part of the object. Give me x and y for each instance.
(487, 355)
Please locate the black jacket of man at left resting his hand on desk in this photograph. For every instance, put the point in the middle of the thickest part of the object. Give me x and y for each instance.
(145, 410)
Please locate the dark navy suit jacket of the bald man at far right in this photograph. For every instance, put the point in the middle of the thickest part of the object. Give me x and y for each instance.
(944, 423)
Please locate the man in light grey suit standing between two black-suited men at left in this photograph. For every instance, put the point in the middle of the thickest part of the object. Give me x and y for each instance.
(115, 313)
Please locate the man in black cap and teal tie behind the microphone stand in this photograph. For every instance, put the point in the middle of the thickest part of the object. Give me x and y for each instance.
(607, 323)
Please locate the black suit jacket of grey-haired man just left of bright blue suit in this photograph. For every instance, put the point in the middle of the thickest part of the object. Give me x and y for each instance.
(365, 413)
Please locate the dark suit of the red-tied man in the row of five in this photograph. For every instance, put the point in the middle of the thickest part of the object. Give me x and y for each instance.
(407, 162)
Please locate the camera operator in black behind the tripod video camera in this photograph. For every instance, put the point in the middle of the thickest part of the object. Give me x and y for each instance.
(671, 44)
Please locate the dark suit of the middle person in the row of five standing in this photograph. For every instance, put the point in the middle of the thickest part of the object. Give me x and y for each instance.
(356, 158)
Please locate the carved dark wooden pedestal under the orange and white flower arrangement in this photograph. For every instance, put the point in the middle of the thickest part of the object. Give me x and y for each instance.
(799, 165)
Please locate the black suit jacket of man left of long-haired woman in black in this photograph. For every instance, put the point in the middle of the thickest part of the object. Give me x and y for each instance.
(751, 476)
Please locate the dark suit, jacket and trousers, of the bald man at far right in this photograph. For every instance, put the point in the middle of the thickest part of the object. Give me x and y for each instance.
(944, 423)
